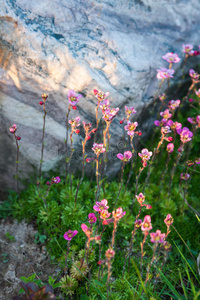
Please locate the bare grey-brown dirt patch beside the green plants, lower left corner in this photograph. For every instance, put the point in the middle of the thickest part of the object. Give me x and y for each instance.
(20, 256)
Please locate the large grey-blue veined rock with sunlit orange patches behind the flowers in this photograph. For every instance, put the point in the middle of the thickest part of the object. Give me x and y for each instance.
(53, 46)
